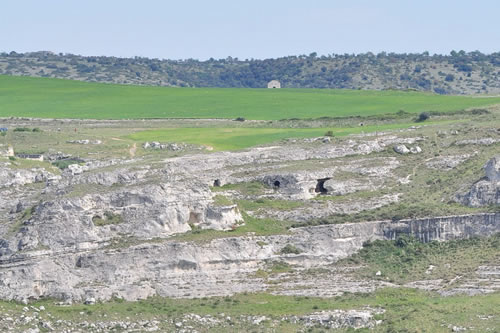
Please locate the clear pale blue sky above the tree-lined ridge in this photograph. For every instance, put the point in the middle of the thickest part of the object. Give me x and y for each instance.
(248, 29)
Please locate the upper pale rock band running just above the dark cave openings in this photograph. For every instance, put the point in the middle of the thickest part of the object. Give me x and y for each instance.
(234, 167)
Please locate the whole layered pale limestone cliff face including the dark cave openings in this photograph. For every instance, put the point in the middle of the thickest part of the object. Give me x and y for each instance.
(111, 227)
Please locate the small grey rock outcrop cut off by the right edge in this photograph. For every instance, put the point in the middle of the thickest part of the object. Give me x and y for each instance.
(487, 191)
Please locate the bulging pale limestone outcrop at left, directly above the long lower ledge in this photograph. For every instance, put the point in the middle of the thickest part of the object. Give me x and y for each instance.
(143, 212)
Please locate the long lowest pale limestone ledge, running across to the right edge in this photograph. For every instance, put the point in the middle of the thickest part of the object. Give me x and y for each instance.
(219, 267)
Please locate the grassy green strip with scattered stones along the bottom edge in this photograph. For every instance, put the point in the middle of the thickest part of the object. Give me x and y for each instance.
(407, 310)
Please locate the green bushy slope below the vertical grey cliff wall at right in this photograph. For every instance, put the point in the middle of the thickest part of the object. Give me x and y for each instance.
(406, 259)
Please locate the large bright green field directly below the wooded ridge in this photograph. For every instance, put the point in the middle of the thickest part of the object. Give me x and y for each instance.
(55, 98)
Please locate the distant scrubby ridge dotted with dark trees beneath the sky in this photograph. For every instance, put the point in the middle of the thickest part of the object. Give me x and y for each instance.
(457, 73)
